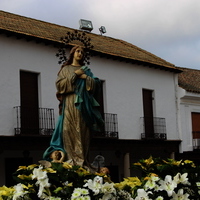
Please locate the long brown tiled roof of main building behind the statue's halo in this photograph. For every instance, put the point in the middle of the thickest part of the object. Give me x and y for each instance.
(102, 44)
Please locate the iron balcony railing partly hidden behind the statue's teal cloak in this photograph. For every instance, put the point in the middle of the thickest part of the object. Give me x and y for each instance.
(110, 129)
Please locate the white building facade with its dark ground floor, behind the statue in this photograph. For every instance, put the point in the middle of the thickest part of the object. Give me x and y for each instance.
(126, 86)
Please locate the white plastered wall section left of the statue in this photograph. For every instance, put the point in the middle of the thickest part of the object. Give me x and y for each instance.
(16, 55)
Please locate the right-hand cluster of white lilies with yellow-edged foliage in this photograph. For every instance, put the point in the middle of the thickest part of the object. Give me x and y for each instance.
(168, 179)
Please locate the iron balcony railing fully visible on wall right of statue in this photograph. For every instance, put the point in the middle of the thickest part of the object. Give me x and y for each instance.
(153, 128)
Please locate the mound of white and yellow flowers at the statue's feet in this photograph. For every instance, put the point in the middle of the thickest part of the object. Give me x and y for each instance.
(60, 181)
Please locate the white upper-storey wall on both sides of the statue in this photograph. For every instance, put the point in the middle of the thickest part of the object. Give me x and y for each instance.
(123, 86)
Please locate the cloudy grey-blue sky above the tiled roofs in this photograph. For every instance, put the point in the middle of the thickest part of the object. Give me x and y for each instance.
(169, 29)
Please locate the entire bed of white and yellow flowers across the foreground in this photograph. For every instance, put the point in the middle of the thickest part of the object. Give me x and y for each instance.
(162, 179)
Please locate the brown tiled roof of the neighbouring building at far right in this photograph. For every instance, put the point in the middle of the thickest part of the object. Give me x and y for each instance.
(189, 80)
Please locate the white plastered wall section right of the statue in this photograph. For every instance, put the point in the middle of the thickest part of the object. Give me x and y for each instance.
(123, 95)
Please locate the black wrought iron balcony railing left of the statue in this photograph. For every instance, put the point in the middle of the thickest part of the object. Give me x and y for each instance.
(30, 121)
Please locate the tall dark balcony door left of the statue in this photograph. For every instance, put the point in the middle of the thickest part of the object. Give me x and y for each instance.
(29, 103)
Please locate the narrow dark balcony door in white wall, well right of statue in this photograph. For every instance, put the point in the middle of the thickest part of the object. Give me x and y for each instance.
(148, 112)
